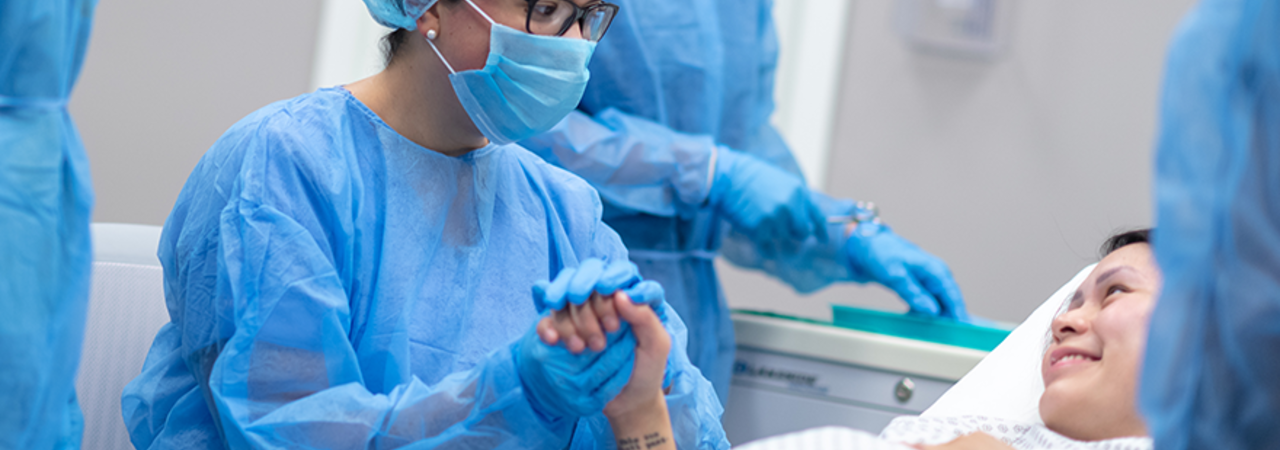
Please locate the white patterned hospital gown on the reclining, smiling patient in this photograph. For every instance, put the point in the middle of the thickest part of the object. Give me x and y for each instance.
(906, 431)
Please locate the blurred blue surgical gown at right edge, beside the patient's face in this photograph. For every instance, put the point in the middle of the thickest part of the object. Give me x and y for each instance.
(1212, 378)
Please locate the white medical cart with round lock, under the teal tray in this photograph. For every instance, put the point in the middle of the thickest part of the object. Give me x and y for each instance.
(793, 374)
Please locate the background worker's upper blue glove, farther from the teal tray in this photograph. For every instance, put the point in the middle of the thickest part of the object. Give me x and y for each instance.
(765, 203)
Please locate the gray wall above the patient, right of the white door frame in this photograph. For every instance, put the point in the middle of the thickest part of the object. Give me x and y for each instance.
(1013, 172)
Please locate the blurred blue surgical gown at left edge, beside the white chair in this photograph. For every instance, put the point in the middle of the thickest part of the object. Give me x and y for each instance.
(45, 206)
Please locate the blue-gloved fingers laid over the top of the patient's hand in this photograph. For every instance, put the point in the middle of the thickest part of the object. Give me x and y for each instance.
(577, 284)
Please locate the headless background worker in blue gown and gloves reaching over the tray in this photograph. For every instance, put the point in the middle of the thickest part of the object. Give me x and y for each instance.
(674, 131)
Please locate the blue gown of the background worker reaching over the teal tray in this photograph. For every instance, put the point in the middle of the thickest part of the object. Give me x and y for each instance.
(674, 82)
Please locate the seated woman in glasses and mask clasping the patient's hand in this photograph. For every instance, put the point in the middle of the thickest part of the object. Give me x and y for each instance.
(359, 267)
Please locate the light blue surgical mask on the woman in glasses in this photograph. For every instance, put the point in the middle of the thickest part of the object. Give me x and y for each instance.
(527, 86)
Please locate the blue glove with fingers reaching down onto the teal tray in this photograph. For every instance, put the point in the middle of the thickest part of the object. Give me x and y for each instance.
(921, 279)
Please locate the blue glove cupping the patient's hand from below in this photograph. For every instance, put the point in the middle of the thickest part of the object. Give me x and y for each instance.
(565, 385)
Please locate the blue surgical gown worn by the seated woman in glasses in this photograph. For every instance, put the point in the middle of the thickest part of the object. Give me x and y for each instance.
(335, 286)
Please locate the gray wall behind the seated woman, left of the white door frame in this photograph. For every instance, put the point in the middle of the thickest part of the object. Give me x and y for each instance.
(163, 80)
